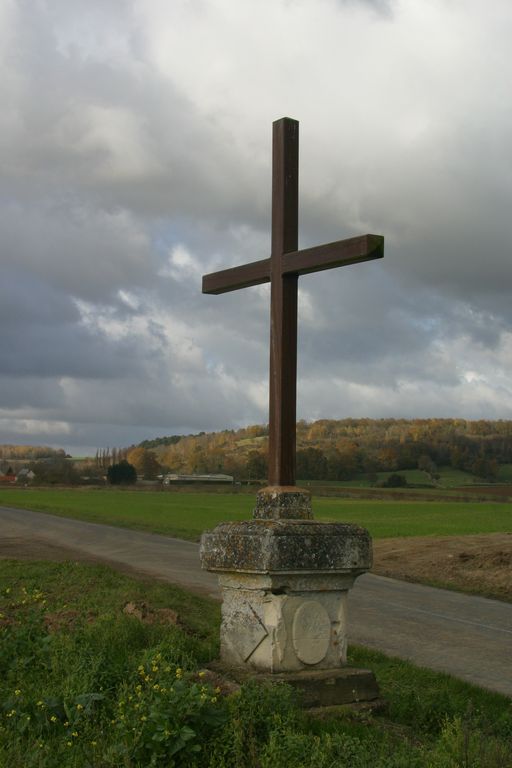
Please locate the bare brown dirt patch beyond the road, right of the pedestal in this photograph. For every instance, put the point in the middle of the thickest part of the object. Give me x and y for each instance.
(481, 564)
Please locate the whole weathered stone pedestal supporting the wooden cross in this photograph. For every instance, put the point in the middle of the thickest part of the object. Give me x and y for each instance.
(285, 580)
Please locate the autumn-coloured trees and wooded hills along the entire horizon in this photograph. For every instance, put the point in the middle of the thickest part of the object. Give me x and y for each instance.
(327, 449)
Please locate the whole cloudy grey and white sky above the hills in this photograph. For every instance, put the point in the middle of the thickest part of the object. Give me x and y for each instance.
(135, 155)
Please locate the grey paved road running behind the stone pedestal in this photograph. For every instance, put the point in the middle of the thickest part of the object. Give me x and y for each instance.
(470, 637)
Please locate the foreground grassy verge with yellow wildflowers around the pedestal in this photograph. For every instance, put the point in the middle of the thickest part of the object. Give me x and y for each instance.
(83, 684)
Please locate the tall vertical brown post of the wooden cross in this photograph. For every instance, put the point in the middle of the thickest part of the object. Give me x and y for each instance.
(283, 303)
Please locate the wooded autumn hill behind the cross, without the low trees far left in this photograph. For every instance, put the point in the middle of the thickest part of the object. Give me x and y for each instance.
(347, 449)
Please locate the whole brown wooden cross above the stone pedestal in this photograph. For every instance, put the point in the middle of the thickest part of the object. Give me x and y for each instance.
(282, 270)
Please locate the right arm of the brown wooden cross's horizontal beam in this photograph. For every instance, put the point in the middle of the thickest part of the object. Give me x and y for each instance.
(338, 254)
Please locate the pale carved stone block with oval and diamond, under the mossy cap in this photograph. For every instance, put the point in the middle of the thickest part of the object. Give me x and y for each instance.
(283, 623)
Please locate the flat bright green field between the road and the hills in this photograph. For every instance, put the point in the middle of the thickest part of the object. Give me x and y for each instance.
(186, 515)
